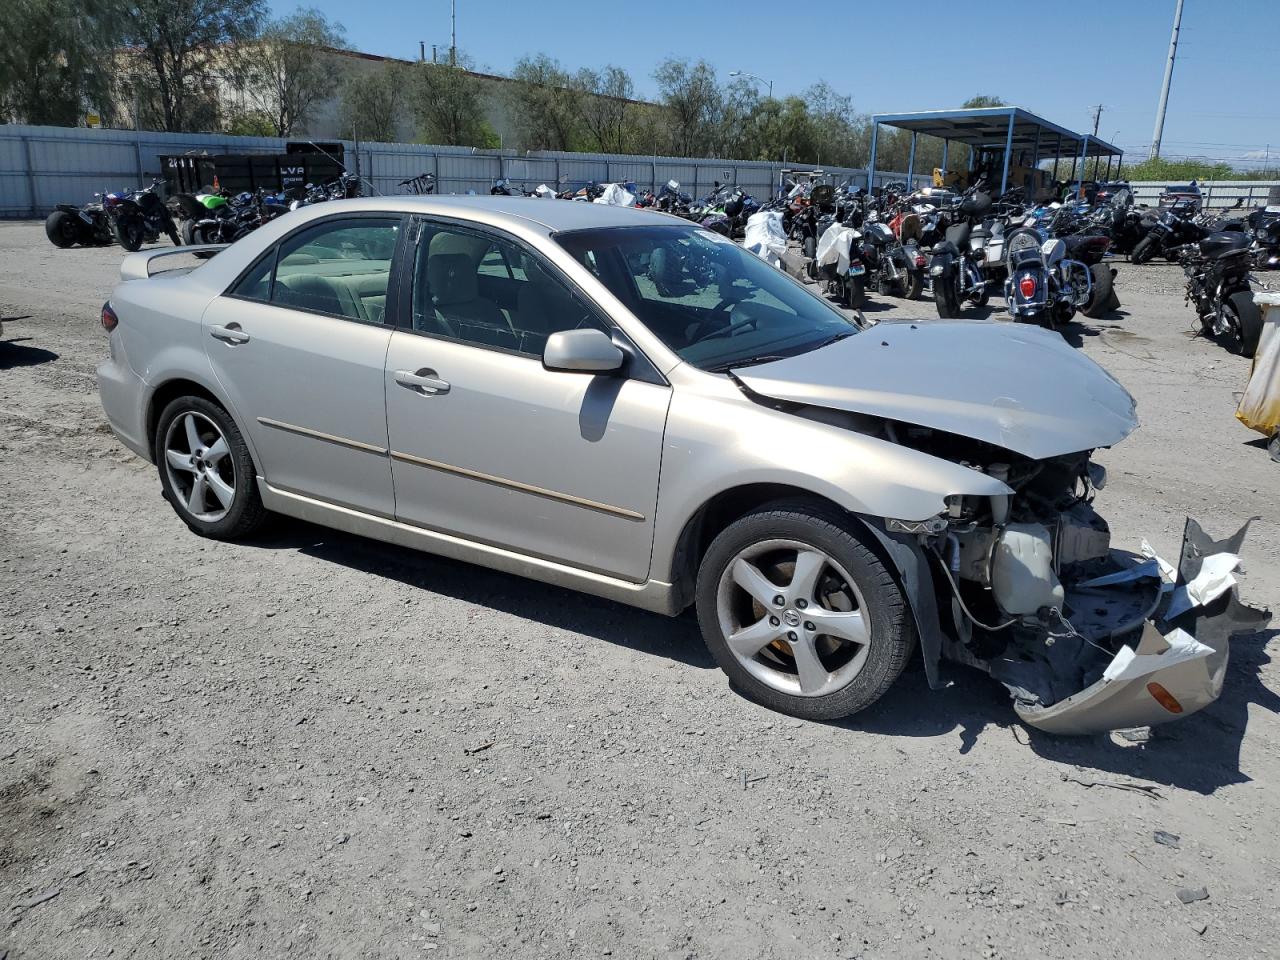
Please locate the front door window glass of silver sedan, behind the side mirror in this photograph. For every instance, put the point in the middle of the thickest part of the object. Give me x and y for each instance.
(490, 292)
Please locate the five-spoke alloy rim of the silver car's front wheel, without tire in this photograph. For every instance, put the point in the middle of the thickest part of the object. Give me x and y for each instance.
(794, 619)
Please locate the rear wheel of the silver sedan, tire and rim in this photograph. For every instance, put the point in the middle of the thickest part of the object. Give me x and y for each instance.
(207, 472)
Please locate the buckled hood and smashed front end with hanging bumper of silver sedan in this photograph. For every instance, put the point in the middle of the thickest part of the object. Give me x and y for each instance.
(1026, 584)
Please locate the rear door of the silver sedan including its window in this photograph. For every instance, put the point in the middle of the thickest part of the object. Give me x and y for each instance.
(300, 344)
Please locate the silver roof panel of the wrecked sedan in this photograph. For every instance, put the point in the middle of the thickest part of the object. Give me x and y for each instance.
(552, 216)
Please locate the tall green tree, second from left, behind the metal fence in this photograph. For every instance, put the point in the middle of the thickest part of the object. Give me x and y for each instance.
(186, 48)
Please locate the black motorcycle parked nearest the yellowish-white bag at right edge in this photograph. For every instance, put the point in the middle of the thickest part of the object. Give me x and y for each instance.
(1218, 286)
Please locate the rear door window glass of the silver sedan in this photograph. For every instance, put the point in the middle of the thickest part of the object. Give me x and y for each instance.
(341, 268)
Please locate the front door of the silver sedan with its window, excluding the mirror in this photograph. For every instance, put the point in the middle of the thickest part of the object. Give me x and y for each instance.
(488, 445)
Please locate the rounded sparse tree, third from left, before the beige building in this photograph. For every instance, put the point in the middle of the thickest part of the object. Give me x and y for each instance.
(287, 70)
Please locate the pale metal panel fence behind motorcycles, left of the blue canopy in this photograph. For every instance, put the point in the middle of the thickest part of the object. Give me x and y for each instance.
(42, 167)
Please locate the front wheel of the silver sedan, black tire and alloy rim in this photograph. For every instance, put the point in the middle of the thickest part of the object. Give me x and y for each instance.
(802, 614)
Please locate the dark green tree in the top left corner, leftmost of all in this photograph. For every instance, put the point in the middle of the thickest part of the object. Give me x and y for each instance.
(52, 57)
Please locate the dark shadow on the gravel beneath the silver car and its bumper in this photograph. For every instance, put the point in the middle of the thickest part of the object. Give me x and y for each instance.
(1201, 753)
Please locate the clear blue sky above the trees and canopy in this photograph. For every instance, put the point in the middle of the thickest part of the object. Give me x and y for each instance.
(1223, 104)
